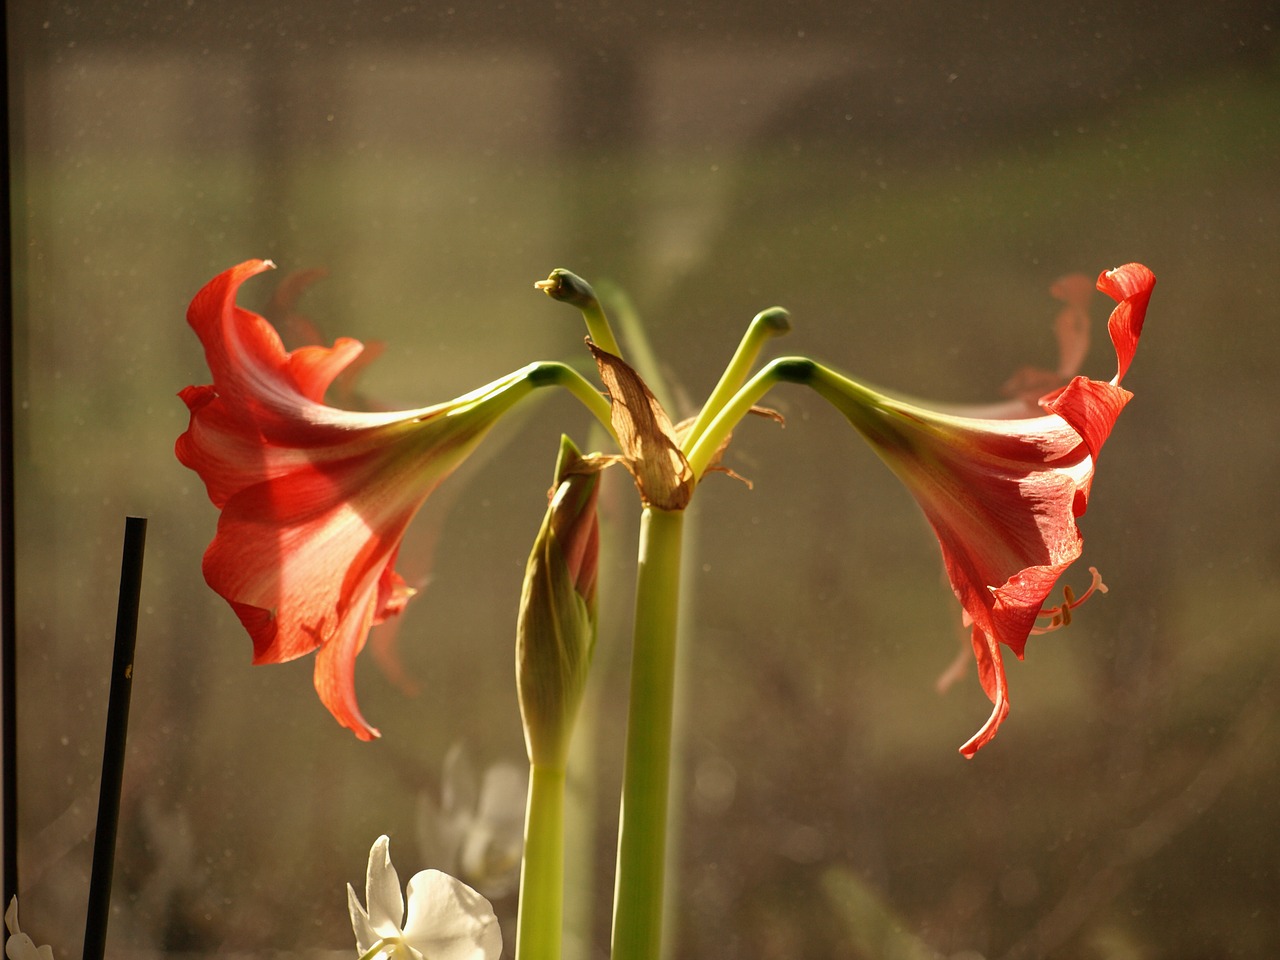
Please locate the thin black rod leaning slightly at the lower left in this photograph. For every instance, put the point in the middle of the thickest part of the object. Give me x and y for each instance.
(117, 732)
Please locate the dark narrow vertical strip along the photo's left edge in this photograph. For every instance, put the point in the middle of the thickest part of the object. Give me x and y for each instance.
(8, 550)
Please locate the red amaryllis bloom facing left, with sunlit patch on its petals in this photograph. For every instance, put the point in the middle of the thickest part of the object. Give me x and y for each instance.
(314, 500)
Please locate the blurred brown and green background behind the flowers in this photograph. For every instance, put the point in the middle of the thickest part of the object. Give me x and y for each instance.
(908, 179)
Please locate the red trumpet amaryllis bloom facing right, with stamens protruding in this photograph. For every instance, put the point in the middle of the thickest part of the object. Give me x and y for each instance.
(1004, 496)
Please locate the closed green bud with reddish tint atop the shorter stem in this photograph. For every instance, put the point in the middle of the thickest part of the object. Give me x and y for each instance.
(556, 629)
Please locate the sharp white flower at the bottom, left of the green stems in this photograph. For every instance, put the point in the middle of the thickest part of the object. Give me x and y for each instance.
(446, 920)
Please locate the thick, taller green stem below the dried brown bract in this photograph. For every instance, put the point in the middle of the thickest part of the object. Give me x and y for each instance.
(647, 769)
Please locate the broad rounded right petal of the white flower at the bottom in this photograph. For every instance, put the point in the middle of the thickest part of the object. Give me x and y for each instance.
(449, 921)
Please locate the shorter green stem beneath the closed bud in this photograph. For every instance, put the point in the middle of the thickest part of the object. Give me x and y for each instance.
(542, 877)
